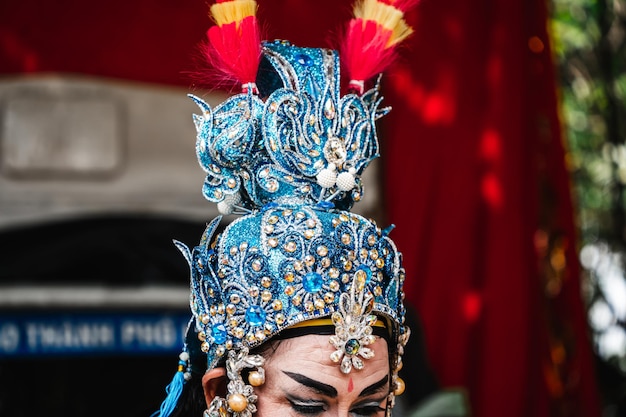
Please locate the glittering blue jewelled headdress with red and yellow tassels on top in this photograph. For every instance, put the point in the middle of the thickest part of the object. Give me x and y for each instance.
(287, 154)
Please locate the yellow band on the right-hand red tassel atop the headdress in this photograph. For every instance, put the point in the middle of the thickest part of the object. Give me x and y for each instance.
(386, 16)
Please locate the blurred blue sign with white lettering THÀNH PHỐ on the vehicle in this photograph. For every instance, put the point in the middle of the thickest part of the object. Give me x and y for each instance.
(91, 333)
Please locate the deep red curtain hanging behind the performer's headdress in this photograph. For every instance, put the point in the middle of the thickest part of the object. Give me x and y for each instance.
(474, 171)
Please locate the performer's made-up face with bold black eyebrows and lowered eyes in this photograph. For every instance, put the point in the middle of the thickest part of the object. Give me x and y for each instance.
(301, 380)
